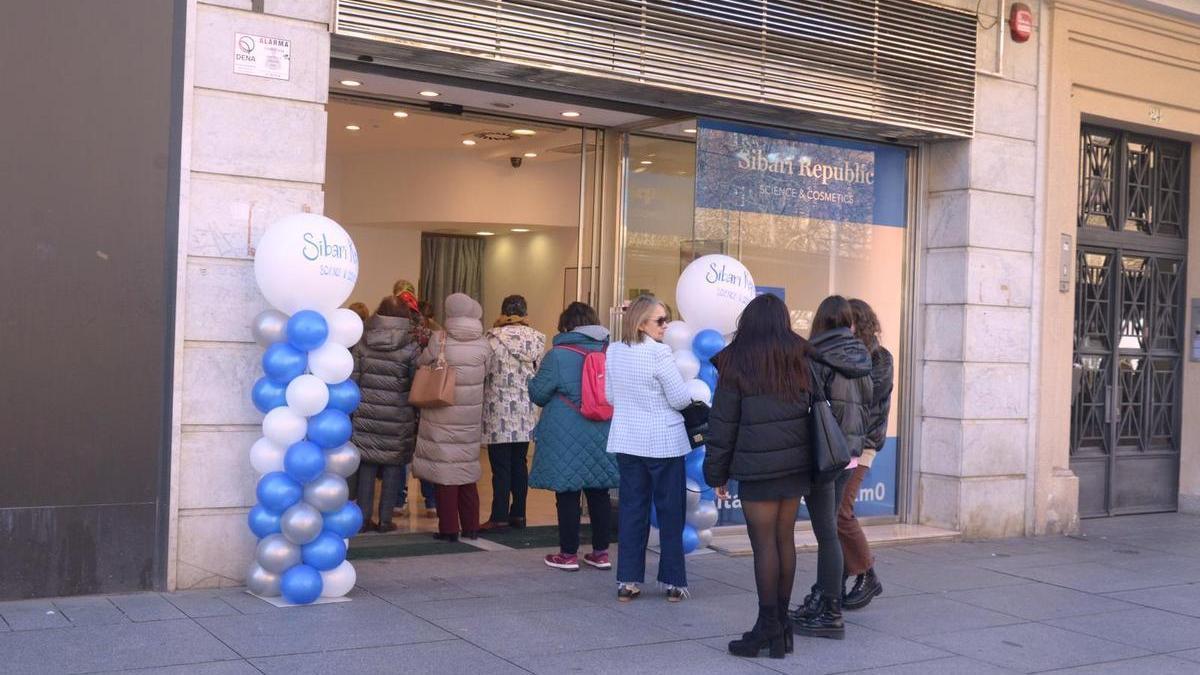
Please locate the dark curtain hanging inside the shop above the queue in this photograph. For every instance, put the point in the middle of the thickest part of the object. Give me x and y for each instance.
(451, 265)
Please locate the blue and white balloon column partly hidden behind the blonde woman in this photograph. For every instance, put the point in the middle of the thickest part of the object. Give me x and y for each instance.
(711, 295)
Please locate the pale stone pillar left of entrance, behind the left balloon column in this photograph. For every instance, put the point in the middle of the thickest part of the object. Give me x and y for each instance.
(254, 152)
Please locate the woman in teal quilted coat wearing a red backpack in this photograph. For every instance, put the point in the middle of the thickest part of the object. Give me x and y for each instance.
(573, 434)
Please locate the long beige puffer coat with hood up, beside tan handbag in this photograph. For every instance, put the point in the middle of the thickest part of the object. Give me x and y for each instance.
(448, 439)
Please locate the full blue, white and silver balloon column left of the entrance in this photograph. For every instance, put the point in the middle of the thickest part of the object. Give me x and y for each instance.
(305, 266)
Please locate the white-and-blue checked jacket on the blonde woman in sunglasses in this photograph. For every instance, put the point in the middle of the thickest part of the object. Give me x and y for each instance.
(647, 393)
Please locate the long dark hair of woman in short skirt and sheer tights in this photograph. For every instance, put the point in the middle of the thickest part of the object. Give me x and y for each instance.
(766, 357)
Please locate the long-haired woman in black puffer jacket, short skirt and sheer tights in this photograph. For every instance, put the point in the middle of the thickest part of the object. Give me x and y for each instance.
(759, 437)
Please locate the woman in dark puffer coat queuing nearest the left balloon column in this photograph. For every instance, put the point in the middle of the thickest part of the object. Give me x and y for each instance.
(385, 423)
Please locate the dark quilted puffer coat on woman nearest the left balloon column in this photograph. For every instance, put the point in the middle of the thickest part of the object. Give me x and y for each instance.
(385, 361)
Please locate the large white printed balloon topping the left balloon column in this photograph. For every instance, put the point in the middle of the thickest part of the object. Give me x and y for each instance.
(307, 262)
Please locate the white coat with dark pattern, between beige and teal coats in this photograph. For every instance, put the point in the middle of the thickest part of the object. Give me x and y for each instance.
(508, 415)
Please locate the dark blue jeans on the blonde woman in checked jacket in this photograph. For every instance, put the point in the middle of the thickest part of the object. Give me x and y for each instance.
(663, 482)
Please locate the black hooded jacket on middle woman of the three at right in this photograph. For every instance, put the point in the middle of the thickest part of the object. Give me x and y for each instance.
(843, 368)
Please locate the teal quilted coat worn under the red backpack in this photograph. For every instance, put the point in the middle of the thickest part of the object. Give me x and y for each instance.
(572, 451)
